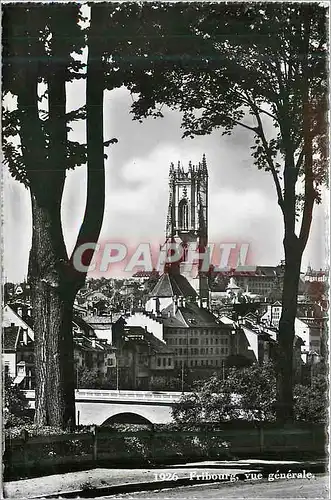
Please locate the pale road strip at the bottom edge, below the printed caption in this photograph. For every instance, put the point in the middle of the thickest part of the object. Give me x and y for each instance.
(316, 488)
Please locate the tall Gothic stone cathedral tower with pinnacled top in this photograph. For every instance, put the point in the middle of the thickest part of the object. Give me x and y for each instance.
(187, 221)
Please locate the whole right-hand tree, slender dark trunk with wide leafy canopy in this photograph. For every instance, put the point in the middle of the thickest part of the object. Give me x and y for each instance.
(261, 67)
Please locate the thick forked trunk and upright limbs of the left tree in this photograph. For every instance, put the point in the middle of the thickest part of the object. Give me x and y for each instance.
(53, 280)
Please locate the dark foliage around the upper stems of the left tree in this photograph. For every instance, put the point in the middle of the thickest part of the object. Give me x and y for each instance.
(34, 38)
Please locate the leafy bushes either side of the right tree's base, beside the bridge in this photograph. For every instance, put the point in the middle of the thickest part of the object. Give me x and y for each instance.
(249, 394)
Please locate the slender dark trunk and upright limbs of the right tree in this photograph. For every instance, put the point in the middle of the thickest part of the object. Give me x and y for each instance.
(294, 245)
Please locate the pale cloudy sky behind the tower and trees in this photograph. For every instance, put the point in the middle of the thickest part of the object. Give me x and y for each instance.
(242, 200)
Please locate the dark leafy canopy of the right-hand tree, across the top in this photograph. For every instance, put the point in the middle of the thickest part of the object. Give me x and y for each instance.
(228, 65)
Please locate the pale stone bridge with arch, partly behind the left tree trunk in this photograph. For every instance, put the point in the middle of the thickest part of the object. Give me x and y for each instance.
(103, 407)
